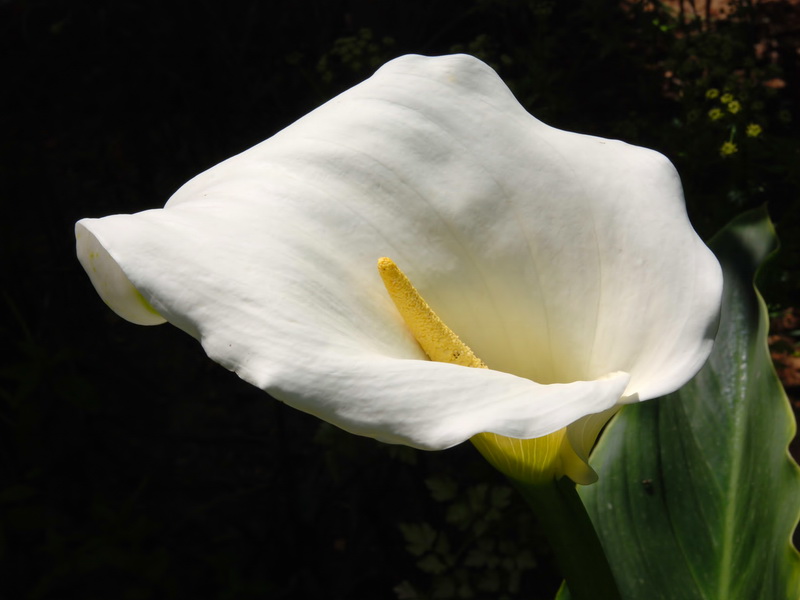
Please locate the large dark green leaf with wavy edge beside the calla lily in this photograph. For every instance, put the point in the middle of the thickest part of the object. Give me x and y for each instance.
(698, 496)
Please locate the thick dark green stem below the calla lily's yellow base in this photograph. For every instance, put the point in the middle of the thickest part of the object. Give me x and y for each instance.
(572, 537)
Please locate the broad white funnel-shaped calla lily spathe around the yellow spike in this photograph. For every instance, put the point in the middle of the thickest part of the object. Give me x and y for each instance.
(566, 262)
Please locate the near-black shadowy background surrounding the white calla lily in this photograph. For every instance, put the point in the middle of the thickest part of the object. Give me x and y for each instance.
(130, 465)
